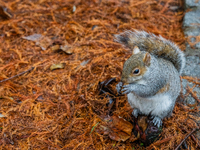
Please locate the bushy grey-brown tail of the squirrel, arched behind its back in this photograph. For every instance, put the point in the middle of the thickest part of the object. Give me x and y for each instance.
(155, 45)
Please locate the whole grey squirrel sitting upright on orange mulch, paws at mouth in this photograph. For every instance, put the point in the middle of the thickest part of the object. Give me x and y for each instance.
(150, 77)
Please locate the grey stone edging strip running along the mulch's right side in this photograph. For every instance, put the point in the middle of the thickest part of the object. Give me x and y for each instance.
(191, 27)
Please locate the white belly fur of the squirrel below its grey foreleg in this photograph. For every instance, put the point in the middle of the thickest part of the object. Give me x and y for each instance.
(154, 105)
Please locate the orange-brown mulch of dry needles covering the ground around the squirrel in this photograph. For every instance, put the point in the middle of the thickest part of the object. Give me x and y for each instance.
(53, 57)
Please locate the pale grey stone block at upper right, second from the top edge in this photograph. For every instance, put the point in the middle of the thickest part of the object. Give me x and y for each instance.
(191, 18)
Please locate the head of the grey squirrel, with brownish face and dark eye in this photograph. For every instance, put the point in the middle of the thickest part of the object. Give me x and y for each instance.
(136, 66)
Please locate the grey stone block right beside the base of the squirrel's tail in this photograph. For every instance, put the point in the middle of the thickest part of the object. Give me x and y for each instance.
(192, 67)
